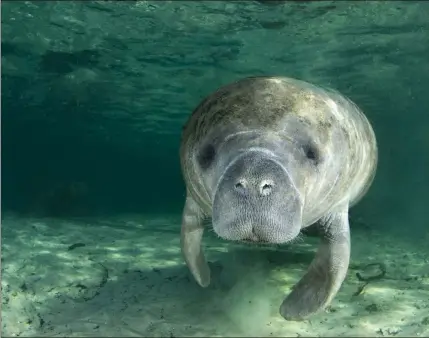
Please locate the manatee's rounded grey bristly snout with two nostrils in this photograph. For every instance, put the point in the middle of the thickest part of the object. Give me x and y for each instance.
(256, 200)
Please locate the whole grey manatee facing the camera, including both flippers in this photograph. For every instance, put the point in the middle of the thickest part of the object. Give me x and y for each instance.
(266, 157)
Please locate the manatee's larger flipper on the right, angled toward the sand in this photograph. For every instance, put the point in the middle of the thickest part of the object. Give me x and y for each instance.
(327, 270)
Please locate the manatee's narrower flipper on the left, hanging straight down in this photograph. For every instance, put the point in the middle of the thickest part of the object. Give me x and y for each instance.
(191, 236)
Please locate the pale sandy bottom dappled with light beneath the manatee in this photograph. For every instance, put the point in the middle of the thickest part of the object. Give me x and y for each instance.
(126, 277)
